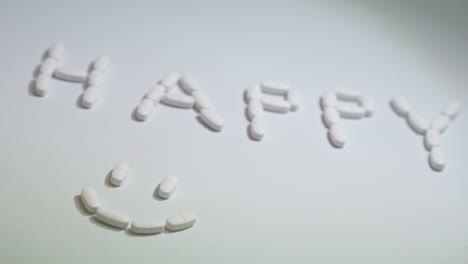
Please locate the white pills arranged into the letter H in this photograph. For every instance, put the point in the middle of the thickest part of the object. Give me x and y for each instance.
(92, 80)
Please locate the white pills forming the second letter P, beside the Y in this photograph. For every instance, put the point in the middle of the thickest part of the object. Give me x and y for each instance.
(333, 106)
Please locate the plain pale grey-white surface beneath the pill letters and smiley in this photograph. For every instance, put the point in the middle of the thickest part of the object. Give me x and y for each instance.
(290, 198)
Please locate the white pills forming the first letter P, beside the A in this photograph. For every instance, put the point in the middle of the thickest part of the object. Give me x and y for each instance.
(257, 103)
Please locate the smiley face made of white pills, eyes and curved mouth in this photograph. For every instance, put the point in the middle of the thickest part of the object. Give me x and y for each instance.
(117, 219)
